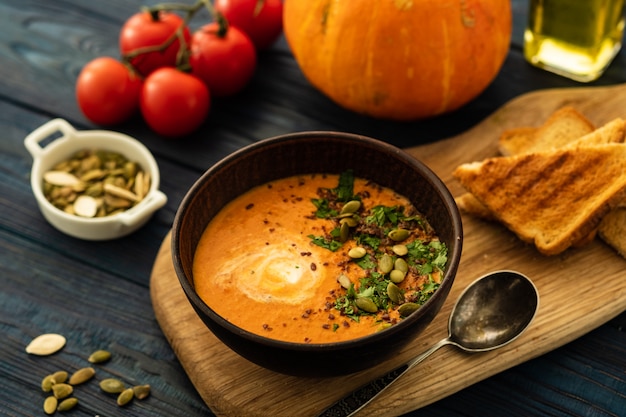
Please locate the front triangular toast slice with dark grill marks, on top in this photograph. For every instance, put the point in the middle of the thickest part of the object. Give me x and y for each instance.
(553, 199)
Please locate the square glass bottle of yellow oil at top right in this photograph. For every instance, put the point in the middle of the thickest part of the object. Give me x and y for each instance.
(577, 39)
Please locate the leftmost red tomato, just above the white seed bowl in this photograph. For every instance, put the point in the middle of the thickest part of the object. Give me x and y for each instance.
(107, 91)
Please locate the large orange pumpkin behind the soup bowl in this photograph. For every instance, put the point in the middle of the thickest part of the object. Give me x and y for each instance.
(399, 59)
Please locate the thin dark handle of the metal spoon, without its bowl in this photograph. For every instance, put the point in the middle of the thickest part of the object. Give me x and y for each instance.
(359, 398)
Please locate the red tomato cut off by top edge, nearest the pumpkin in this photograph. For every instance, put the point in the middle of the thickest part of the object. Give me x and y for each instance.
(262, 20)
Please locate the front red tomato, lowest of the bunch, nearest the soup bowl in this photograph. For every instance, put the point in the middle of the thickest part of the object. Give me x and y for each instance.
(174, 103)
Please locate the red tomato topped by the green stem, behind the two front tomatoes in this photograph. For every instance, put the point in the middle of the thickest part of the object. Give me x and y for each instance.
(142, 30)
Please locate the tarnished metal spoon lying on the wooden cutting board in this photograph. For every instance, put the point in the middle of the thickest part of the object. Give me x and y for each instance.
(492, 311)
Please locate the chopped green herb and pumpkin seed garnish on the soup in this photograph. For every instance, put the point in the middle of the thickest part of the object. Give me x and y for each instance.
(425, 256)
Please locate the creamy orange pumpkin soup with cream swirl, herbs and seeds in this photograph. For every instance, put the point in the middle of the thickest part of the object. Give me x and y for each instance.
(318, 259)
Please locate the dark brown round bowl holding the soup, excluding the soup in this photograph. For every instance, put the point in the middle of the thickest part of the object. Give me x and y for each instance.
(305, 153)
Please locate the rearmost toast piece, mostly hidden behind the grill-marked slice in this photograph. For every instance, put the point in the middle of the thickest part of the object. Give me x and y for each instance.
(562, 127)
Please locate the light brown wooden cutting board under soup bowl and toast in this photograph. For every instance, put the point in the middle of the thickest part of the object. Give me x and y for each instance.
(580, 290)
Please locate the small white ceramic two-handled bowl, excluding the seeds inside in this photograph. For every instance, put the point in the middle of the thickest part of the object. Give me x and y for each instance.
(62, 141)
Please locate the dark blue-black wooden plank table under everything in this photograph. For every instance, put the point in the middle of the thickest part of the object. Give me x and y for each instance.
(97, 293)
